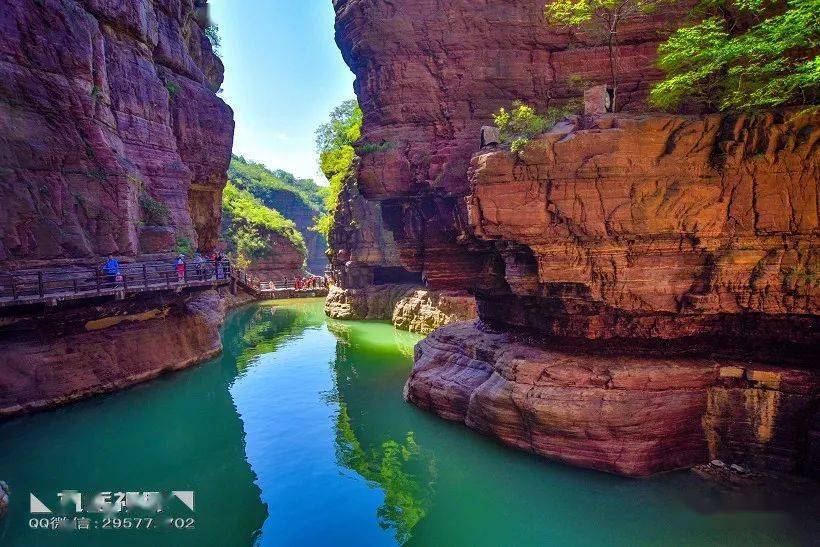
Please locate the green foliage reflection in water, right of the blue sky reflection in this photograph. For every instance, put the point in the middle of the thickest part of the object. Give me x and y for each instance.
(385, 458)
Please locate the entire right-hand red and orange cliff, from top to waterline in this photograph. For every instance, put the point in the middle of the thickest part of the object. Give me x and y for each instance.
(645, 283)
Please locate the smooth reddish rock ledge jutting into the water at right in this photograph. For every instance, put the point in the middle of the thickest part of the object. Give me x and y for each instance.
(622, 414)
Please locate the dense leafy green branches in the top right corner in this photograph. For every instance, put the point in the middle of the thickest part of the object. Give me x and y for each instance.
(744, 55)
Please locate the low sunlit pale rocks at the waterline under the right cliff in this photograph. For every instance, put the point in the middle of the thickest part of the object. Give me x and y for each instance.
(409, 307)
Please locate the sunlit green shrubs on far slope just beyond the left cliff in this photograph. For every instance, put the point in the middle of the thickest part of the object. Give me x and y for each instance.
(246, 223)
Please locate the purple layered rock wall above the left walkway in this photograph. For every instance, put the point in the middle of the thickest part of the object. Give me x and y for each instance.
(103, 102)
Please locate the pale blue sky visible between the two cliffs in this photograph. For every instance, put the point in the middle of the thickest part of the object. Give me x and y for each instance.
(283, 76)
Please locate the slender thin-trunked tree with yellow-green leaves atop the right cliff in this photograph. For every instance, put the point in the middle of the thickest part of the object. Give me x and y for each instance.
(601, 17)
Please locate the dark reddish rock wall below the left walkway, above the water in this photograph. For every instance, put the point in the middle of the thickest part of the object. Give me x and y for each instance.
(58, 357)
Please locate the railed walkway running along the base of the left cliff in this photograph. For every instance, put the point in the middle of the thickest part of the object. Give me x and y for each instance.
(73, 283)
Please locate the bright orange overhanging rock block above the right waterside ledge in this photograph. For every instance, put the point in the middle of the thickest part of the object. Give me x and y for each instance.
(657, 228)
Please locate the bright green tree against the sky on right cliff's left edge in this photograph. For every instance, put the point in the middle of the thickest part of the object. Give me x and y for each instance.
(334, 143)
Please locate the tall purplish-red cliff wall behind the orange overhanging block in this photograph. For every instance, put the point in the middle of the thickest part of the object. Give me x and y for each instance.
(430, 73)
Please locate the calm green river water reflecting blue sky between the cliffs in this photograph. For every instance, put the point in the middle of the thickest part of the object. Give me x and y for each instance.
(298, 435)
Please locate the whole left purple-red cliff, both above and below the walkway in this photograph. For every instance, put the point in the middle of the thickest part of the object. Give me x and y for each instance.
(112, 141)
